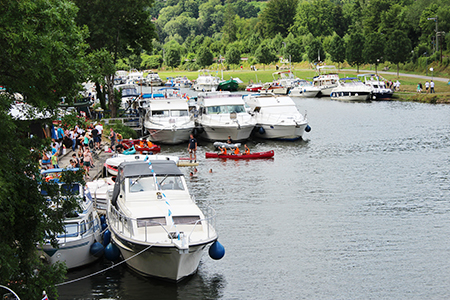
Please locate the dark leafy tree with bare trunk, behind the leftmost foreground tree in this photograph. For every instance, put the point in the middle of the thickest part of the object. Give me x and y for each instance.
(125, 28)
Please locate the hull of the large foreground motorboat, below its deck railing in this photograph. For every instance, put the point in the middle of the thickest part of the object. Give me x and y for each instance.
(162, 262)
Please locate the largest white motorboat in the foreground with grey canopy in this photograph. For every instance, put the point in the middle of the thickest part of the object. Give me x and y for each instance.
(155, 222)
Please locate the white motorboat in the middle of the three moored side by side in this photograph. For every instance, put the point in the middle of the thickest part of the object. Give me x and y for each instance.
(222, 114)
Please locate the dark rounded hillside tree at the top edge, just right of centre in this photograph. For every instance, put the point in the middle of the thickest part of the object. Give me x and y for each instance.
(277, 17)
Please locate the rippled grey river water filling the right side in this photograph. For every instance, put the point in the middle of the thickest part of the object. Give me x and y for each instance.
(358, 210)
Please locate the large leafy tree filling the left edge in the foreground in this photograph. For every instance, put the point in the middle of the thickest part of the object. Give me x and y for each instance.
(43, 59)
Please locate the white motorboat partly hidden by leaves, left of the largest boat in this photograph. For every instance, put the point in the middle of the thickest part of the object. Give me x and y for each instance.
(79, 244)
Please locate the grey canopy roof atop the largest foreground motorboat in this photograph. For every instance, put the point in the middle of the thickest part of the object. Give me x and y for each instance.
(141, 168)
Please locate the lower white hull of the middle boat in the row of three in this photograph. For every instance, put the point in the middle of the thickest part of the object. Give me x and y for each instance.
(221, 133)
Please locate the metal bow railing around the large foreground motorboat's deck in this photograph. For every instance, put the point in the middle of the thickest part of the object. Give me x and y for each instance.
(124, 225)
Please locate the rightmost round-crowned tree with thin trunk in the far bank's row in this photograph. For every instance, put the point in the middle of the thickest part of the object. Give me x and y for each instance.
(398, 48)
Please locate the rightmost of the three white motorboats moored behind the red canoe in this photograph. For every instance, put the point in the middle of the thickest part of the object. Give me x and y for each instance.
(277, 117)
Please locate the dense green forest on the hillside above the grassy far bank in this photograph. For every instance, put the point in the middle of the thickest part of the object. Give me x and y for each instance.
(194, 33)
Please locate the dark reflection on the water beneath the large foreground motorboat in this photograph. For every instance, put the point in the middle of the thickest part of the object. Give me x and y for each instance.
(123, 283)
